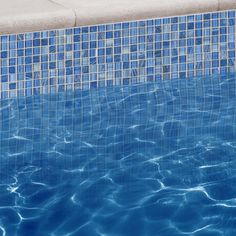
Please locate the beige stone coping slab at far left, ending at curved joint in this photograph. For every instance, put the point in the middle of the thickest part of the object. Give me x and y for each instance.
(17, 16)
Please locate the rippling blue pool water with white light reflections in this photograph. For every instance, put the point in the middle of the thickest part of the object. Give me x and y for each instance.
(151, 159)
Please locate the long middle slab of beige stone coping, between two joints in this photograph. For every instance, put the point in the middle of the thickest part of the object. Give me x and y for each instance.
(89, 12)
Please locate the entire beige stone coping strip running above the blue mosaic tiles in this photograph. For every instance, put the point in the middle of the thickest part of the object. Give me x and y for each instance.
(17, 16)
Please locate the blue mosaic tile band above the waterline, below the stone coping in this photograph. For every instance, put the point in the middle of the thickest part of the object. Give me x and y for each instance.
(119, 53)
